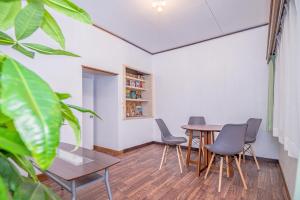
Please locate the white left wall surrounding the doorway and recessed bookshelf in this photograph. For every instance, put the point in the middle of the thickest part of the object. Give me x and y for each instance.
(97, 49)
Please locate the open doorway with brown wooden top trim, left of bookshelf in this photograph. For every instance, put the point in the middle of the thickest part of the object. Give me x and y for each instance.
(100, 93)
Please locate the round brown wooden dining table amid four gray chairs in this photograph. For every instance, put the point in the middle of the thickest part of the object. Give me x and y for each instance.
(207, 134)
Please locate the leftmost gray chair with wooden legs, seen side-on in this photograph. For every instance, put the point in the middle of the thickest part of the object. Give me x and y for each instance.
(169, 140)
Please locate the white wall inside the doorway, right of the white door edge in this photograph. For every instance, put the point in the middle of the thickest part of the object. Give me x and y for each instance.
(106, 102)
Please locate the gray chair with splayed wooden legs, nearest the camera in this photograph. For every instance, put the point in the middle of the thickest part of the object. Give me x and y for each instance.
(230, 142)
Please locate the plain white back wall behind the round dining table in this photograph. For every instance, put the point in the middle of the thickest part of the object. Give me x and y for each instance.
(225, 80)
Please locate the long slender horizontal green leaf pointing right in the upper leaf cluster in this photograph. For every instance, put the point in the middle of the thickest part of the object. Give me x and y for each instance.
(47, 50)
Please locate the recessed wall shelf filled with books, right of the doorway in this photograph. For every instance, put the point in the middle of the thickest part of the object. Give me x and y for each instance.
(137, 94)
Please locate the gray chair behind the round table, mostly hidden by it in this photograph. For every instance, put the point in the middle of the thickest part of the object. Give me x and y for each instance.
(197, 120)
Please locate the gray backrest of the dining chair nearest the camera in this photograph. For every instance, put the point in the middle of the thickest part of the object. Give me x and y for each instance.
(232, 137)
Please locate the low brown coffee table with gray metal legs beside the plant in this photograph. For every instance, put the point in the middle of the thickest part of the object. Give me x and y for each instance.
(71, 175)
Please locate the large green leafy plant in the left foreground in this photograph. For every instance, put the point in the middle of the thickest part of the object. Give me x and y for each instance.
(31, 113)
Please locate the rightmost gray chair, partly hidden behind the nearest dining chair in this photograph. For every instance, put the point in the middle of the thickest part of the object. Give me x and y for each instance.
(250, 138)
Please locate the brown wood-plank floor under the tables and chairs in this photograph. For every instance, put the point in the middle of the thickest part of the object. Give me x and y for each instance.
(137, 177)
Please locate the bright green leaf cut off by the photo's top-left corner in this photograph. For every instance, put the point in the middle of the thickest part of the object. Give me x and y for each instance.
(8, 12)
